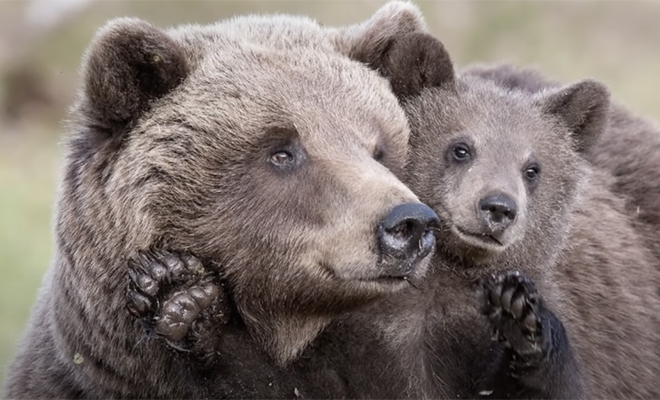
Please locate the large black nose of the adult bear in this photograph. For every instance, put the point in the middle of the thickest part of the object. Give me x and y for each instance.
(406, 236)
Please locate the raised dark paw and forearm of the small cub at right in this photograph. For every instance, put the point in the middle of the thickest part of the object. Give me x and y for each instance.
(538, 361)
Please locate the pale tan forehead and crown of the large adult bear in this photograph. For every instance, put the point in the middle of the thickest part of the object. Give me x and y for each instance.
(255, 72)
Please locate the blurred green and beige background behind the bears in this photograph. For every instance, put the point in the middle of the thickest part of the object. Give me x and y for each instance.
(40, 48)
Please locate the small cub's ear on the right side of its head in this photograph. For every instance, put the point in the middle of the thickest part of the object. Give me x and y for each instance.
(583, 107)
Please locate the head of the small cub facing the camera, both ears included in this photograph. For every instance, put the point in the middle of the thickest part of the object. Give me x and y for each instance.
(503, 168)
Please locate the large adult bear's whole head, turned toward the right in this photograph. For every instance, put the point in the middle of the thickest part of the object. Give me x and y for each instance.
(255, 145)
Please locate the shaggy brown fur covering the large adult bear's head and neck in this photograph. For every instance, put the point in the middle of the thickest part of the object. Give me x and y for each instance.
(255, 145)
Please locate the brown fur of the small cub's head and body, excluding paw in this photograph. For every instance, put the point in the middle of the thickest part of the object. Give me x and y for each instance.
(510, 173)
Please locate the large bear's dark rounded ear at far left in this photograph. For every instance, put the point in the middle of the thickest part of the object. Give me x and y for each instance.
(129, 64)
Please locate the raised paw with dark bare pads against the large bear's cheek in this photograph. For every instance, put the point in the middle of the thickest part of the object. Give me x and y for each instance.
(169, 291)
